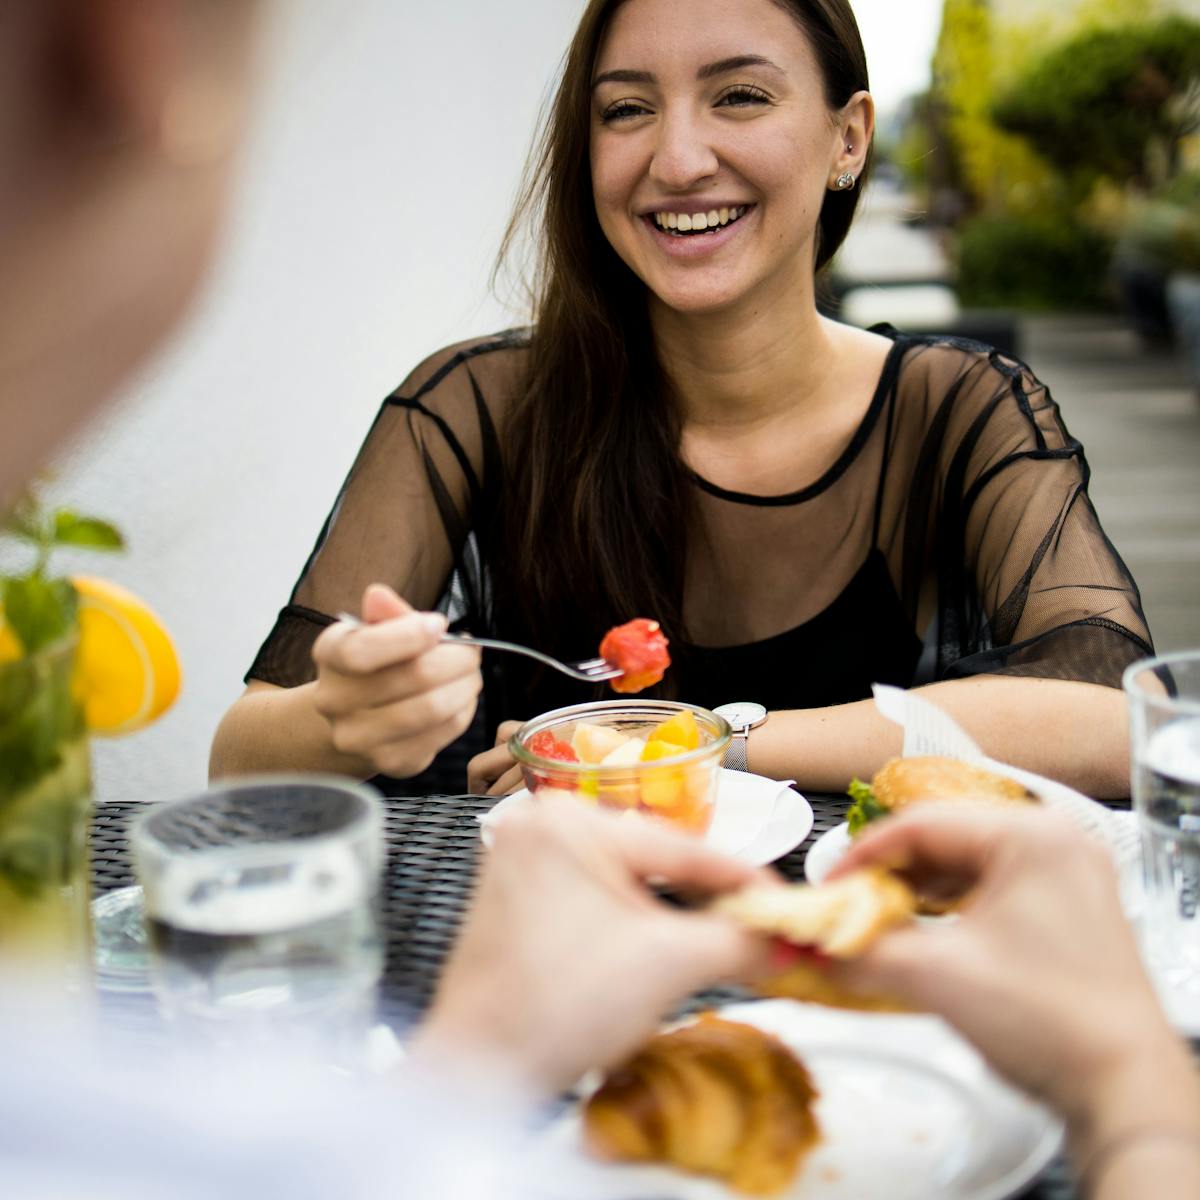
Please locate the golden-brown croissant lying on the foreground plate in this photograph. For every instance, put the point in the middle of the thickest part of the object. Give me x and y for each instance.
(718, 1099)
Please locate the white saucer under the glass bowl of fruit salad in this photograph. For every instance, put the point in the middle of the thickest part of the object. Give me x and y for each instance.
(757, 820)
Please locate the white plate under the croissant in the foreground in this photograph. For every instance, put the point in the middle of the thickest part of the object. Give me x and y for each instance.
(908, 1111)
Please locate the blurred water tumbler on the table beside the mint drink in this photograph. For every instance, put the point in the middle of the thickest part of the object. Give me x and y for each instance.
(261, 903)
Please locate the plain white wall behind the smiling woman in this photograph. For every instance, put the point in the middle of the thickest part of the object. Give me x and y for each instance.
(389, 143)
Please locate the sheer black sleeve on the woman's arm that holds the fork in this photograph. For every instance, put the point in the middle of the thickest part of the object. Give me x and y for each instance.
(406, 513)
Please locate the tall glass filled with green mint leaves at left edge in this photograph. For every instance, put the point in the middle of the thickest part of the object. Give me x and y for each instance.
(45, 807)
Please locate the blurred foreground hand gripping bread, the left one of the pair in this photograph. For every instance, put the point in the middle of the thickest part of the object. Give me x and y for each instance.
(568, 961)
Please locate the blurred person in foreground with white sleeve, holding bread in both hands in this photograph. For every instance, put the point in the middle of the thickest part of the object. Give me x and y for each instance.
(119, 122)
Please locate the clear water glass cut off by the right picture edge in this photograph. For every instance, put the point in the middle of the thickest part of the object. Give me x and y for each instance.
(1165, 712)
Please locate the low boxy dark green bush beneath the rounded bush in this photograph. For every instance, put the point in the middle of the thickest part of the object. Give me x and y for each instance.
(1034, 263)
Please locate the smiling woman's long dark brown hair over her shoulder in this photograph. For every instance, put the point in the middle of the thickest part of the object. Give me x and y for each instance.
(597, 501)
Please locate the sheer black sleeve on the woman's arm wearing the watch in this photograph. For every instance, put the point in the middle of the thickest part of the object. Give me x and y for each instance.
(1029, 584)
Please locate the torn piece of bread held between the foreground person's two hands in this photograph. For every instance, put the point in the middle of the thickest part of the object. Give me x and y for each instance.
(831, 921)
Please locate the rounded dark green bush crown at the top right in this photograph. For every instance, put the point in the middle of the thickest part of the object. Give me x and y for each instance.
(1106, 101)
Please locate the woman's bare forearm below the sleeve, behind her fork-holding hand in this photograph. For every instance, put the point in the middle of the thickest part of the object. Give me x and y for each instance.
(279, 729)
